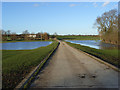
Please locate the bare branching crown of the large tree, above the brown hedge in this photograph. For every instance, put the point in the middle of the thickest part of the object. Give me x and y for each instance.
(107, 22)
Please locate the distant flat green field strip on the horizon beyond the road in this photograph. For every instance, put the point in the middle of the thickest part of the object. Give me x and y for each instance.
(78, 38)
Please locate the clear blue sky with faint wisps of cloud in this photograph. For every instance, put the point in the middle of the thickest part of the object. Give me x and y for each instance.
(60, 17)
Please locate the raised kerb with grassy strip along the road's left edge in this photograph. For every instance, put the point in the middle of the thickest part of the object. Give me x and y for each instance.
(31, 76)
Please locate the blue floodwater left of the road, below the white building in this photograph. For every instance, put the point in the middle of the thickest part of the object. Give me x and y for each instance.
(23, 45)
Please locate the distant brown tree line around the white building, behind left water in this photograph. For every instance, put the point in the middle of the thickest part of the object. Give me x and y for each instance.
(8, 35)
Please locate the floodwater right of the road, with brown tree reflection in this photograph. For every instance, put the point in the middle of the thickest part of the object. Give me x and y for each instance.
(97, 44)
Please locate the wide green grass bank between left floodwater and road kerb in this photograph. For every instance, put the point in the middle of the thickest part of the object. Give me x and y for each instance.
(18, 63)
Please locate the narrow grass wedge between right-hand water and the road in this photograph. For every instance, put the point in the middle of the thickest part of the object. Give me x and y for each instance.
(110, 56)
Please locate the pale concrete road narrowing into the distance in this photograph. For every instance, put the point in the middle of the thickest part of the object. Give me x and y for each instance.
(70, 68)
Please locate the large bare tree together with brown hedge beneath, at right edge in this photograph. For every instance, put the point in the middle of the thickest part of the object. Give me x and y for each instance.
(107, 25)
